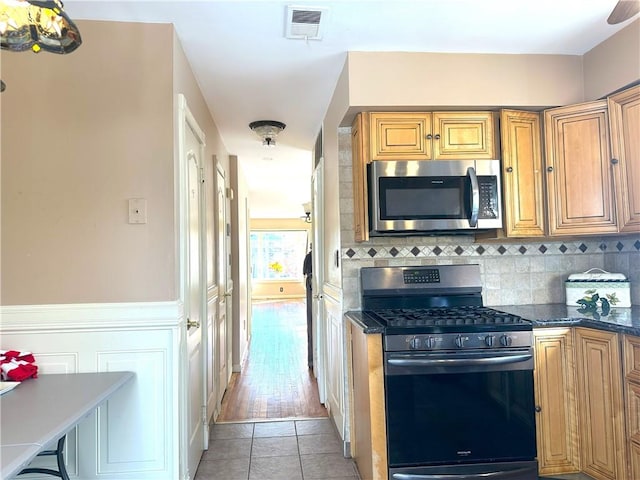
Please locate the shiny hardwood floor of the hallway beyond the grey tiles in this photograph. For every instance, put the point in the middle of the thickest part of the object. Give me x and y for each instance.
(275, 382)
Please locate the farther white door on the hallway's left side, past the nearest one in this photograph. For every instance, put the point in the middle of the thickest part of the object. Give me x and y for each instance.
(223, 329)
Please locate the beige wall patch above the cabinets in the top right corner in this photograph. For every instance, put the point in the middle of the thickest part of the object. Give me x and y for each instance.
(614, 63)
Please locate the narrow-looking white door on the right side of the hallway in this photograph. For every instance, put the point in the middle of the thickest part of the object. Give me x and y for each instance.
(317, 280)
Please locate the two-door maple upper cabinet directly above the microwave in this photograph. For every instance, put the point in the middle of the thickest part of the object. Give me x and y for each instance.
(432, 136)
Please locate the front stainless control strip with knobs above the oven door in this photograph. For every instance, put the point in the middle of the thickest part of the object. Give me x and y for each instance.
(458, 341)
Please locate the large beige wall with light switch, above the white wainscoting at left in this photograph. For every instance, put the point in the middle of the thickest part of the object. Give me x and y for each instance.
(81, 134)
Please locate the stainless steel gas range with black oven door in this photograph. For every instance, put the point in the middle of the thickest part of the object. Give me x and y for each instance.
(458, 376)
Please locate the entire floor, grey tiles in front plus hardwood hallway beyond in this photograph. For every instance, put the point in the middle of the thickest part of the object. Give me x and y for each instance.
(272, 425)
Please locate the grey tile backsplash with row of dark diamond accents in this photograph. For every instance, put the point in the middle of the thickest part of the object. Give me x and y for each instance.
(512, 274)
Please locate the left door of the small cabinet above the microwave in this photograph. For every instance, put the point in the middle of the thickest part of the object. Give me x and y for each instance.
(400, 136)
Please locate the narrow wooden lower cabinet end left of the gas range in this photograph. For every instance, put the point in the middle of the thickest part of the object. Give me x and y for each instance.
(368, 426)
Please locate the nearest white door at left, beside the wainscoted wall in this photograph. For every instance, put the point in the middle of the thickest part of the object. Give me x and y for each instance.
(192, 259)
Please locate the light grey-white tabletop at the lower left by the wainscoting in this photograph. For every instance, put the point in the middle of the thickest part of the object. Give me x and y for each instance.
(41, 410)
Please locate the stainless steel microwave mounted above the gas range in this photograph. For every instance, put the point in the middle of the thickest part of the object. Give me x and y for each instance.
(427, 197)
